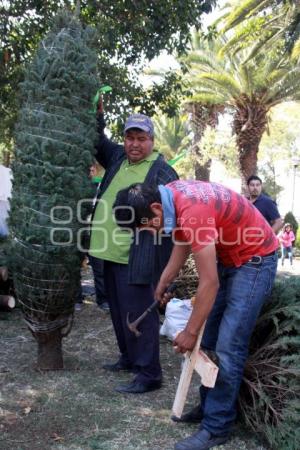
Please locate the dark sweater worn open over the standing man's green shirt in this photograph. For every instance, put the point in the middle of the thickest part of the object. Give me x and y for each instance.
(146, 260)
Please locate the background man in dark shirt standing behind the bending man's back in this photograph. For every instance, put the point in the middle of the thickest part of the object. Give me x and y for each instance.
(263, 203)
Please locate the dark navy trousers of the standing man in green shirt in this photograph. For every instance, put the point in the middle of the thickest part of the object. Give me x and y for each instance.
(142, 353)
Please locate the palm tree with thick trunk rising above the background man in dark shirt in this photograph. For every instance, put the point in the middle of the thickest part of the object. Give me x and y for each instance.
(250, 88)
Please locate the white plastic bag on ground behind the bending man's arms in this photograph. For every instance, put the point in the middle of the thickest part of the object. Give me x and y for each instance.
(176, 316)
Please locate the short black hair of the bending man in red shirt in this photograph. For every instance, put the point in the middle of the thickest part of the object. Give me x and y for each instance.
(132, 205)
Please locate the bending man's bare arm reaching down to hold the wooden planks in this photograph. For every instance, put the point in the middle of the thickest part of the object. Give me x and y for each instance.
(207, 290)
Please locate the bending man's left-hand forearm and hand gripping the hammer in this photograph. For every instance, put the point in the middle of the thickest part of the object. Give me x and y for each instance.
(177, 259)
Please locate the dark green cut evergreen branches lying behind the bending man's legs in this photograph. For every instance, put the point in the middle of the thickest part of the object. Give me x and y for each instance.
(269, 397)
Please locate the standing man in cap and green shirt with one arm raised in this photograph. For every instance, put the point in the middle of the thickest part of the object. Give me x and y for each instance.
(131, 267)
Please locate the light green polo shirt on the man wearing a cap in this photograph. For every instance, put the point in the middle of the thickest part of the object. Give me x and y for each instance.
(108, 241)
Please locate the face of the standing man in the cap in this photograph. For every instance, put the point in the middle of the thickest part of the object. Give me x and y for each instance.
(138, 145)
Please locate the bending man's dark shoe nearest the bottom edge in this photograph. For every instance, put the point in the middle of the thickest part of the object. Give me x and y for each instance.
(202, 440)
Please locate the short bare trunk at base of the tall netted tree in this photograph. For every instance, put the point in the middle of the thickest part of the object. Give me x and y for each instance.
(50, 355)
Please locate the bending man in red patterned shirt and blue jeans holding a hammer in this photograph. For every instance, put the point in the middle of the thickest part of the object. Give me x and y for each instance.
(215, 223)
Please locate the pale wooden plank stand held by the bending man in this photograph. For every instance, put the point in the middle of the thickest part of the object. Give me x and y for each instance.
(199, 361)
